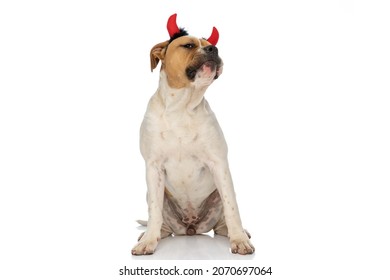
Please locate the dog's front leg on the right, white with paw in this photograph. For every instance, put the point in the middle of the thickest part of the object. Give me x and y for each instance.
(239, 240)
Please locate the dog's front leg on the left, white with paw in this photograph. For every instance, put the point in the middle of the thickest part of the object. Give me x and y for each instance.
(155, 180)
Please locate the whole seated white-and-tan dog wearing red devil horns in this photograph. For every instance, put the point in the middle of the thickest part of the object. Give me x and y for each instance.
(190, 189)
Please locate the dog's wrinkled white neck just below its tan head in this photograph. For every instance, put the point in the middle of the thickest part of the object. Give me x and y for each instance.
(181, 99)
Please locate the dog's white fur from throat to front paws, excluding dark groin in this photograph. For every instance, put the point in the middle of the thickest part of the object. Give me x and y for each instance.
(180, 136)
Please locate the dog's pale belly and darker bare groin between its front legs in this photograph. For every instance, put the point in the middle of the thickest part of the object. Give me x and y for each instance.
(192, 204)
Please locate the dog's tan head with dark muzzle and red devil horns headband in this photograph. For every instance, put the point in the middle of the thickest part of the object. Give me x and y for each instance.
(186, 59)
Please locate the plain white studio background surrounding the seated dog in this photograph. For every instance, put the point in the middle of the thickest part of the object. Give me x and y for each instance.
(303, 102)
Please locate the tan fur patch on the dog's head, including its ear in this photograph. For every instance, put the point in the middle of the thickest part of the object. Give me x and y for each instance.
(176, 57)
